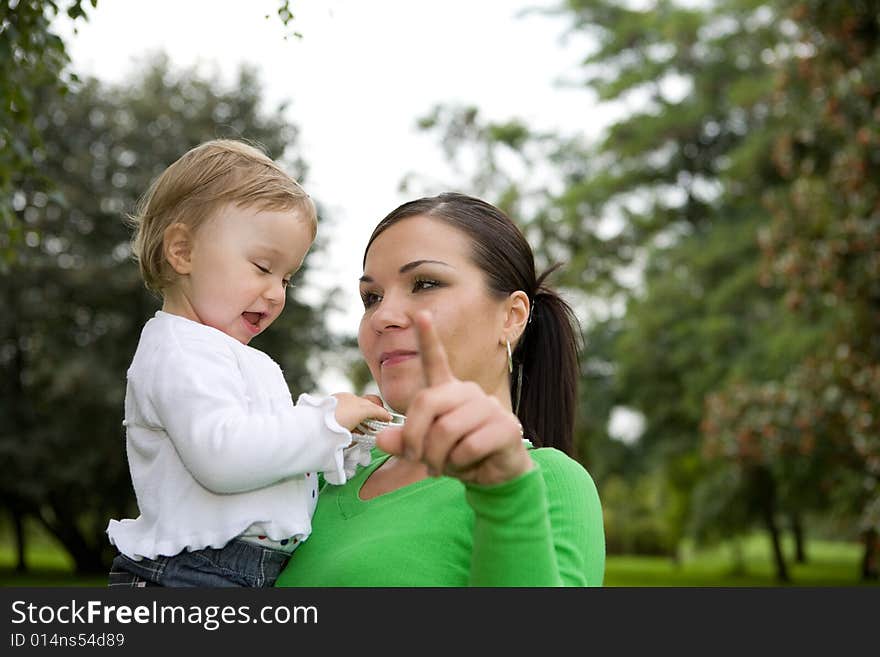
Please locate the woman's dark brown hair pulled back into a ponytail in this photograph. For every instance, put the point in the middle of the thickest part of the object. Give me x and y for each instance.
(546, 354)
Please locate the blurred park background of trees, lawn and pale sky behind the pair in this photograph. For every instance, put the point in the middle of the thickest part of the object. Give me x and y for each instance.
(707, 170)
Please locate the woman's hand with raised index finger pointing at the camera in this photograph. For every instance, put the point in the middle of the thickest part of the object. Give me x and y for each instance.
(453, 426)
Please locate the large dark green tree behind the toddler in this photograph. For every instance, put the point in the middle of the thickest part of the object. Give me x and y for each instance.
(77, 303)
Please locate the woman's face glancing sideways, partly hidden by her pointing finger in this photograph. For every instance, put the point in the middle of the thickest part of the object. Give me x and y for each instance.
(422, 263)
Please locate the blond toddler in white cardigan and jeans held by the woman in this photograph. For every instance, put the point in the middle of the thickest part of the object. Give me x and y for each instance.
(224, 464)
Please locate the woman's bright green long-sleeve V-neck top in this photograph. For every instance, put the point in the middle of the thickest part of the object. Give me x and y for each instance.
(543, 528)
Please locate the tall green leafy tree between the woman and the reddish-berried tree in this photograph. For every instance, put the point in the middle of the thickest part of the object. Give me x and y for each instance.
(658, 217)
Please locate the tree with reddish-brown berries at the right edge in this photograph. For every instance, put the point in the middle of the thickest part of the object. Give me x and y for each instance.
(822, 249)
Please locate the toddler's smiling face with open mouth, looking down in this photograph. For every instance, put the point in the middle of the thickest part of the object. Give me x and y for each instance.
(241, 263)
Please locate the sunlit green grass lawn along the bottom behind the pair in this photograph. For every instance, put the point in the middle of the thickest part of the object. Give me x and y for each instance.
(829, 564)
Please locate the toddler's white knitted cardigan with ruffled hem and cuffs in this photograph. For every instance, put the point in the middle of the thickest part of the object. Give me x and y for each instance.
(215, 444)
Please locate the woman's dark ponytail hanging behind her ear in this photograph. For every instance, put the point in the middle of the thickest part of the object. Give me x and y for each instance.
(545, 373)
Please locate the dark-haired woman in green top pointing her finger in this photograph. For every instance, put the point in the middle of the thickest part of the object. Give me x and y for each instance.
(476, 489)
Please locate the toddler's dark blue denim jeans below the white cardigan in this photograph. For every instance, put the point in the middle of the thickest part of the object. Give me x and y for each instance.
(238, 563)
